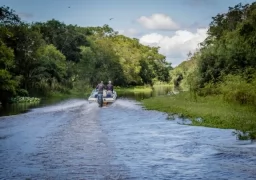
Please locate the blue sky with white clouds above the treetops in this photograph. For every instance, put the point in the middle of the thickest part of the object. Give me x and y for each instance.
(176, 26)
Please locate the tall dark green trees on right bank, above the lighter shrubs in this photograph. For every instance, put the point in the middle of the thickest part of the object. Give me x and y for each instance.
(230, 46)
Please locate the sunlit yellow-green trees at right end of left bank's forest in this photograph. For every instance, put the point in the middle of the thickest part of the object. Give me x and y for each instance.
(140, 64)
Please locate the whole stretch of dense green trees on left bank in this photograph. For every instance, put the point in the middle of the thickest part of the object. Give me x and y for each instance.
(42, 57)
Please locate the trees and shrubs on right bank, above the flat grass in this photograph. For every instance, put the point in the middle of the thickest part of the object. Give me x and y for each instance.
(226, 62)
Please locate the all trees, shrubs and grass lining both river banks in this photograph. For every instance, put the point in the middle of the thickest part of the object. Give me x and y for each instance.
(216, 84)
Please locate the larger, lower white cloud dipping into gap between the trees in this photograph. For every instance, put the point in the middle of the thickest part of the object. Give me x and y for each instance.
(176, 47)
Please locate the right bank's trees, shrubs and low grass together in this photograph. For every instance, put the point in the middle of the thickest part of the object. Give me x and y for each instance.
(225, 69)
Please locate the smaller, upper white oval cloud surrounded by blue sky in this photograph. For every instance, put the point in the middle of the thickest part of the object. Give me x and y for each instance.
(158, 22)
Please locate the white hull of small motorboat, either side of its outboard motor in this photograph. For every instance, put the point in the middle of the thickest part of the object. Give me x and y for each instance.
(107, 97)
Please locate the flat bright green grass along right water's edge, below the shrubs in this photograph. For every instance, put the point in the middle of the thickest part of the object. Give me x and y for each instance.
(212, 109)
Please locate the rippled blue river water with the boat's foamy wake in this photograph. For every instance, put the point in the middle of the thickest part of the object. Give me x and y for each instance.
(77, 140)
